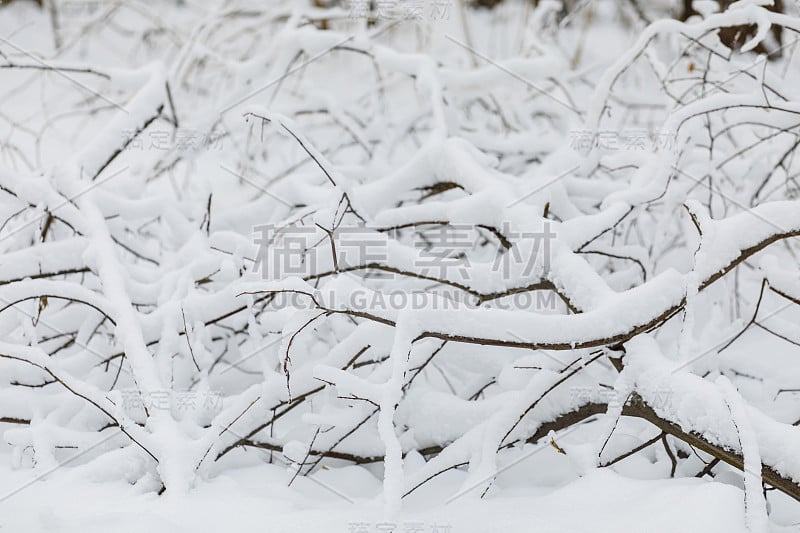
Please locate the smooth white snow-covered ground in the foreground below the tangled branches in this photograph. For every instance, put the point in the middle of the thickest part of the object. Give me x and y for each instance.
(254, 496)
